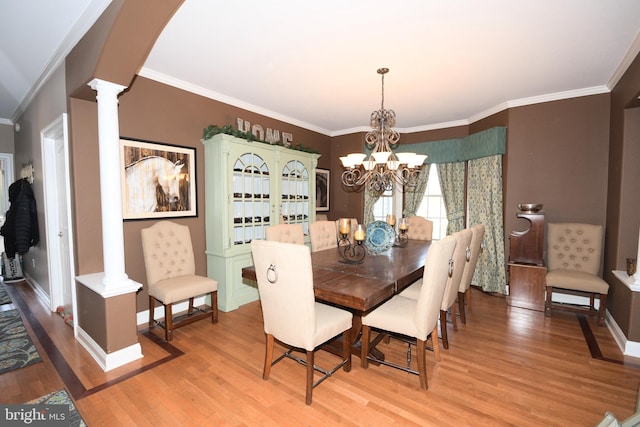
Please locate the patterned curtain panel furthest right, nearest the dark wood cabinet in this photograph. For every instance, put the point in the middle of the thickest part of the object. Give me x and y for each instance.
(485, 207)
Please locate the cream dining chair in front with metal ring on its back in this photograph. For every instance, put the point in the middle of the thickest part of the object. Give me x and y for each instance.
(290, 313)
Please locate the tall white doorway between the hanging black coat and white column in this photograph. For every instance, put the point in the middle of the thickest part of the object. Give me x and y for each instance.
(57, 197)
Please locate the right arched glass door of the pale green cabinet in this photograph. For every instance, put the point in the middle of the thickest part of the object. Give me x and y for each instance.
(294, 208)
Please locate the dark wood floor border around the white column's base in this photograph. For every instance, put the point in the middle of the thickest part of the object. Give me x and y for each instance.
(71, 381)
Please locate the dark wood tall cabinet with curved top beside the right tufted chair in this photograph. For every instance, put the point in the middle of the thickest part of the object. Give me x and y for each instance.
(526, 264)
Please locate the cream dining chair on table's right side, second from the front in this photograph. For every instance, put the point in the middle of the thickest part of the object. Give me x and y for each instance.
(461, 257)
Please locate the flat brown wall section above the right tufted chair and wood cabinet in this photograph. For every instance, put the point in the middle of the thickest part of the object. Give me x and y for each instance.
(557, 155)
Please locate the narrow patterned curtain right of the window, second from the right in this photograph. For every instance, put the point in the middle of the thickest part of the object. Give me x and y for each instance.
(451, 177)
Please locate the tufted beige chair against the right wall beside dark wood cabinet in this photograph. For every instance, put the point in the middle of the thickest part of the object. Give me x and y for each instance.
(574, 253)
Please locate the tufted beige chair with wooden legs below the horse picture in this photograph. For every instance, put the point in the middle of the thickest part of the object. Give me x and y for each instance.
(171, 278)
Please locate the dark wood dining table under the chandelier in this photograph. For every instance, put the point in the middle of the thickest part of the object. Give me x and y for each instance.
(361, 287)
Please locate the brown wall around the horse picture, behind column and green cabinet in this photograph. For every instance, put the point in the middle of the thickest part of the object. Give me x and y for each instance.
(152, 111)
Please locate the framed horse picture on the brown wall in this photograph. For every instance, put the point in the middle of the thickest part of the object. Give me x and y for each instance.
(158, 180)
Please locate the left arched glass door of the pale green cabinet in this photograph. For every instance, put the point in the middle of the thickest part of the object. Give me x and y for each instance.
(251, 198)
